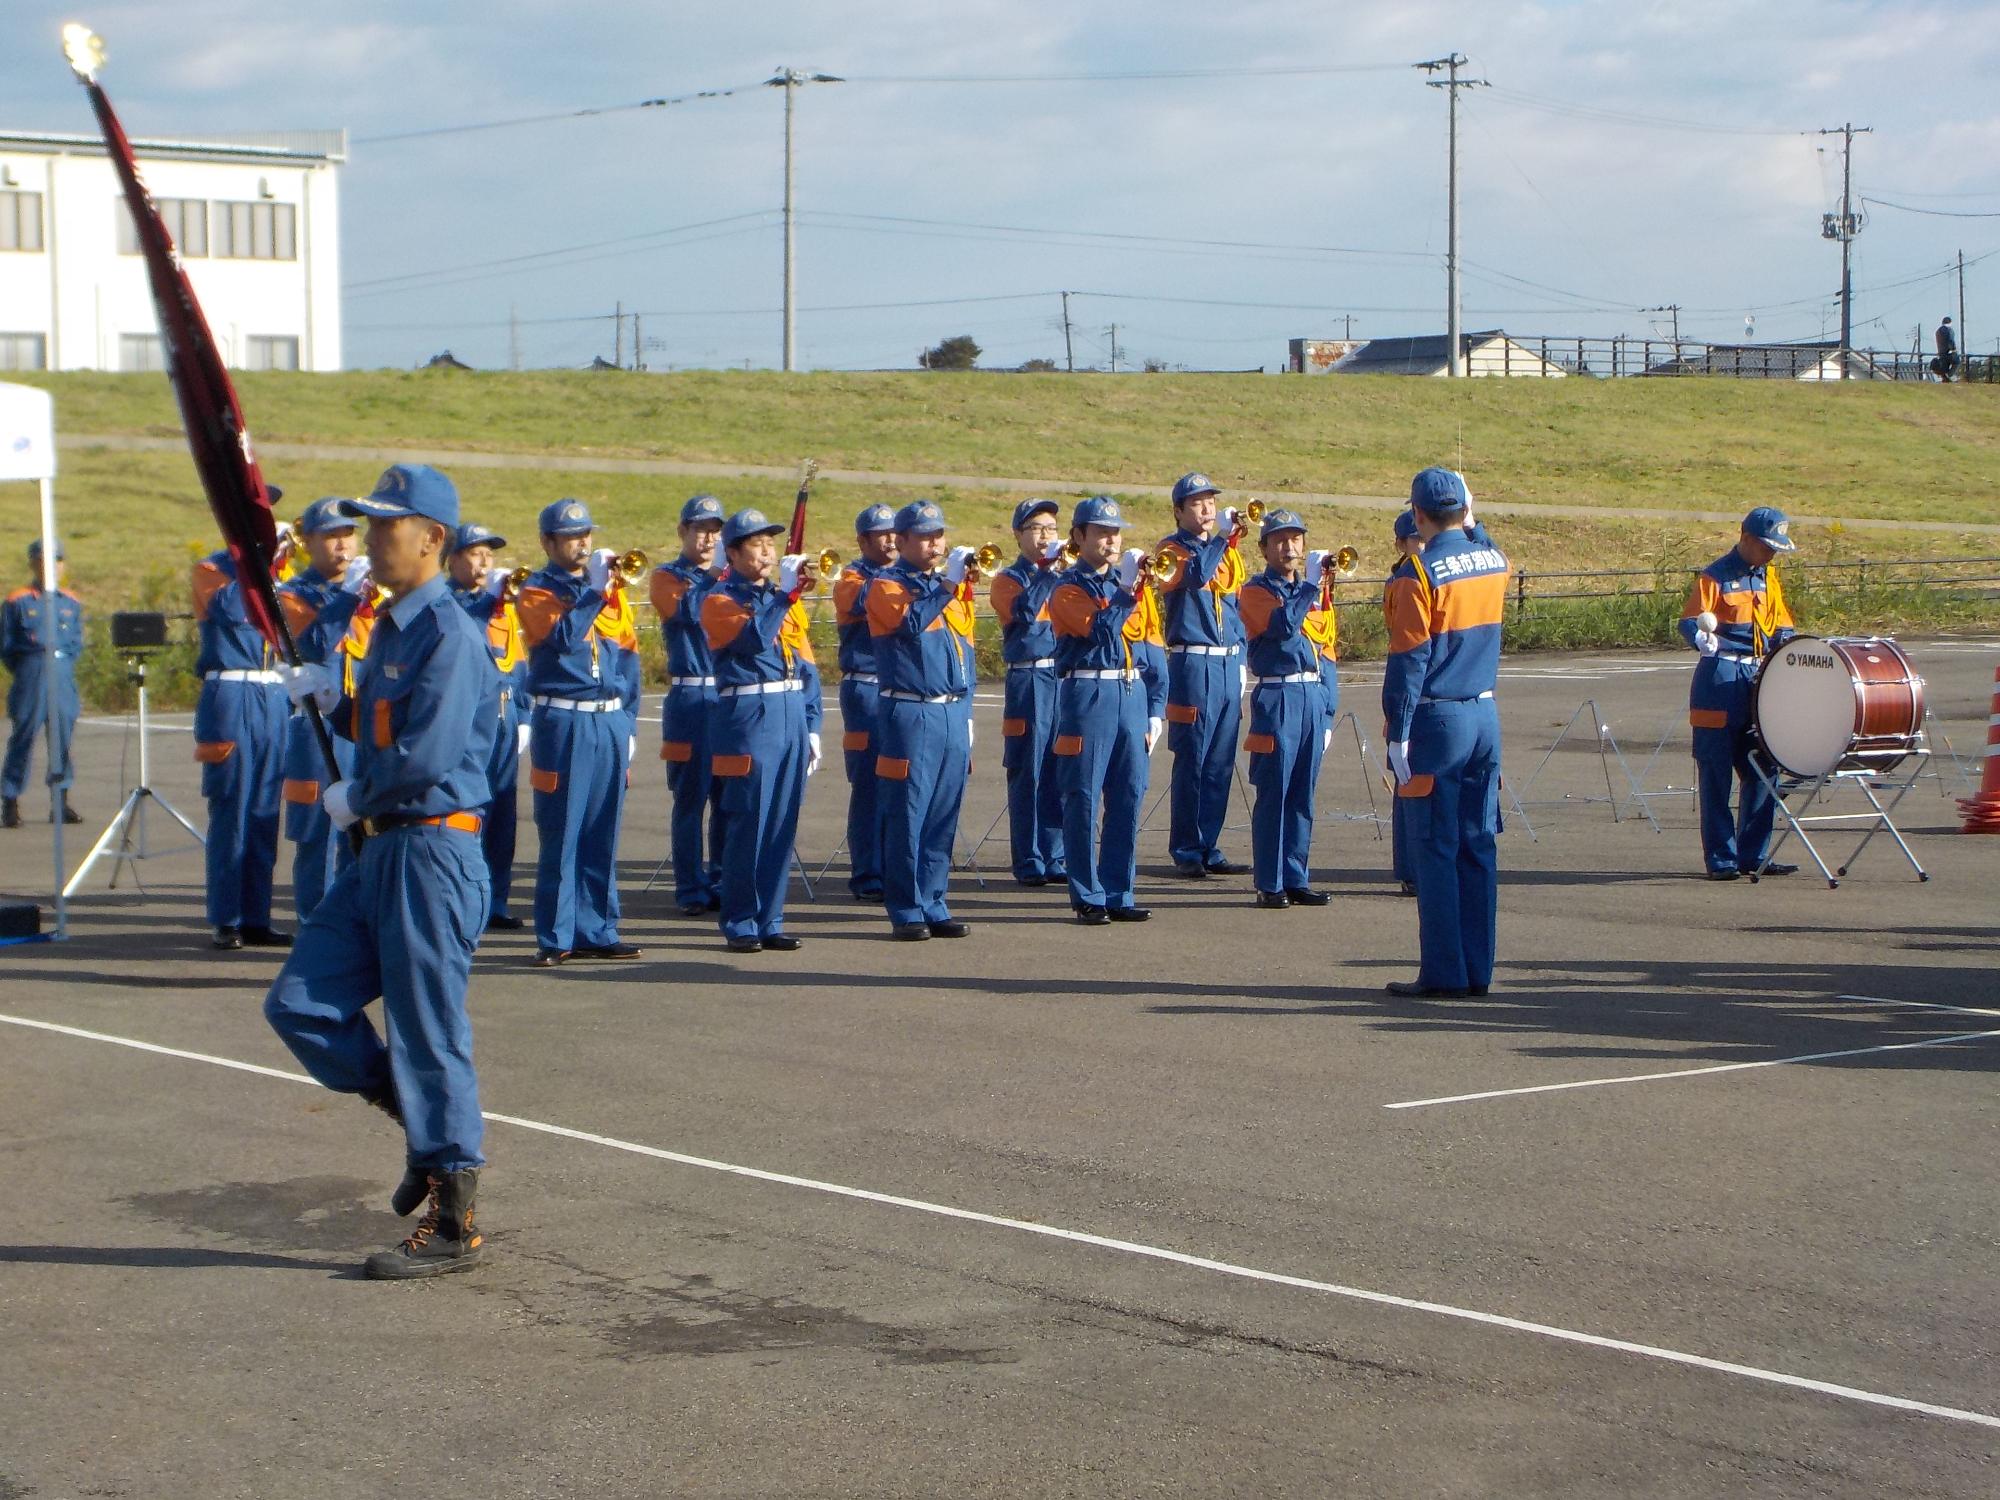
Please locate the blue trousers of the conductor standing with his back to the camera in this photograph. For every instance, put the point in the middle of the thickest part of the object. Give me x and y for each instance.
(1453, 807)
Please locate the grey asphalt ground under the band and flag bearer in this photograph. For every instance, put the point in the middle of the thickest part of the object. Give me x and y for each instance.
(1061, 1211)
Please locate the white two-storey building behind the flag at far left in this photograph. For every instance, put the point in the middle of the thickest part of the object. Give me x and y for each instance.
(257, 221)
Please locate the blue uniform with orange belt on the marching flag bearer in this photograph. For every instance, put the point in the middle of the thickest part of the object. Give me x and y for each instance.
(405, 919)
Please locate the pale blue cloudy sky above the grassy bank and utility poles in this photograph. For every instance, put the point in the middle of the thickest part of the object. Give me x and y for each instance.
(1209, 179)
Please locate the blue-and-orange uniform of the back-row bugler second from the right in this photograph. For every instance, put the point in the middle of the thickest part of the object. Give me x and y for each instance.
(1021, 597)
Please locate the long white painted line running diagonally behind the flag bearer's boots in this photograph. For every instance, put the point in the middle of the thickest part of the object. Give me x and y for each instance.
(1123, 1247)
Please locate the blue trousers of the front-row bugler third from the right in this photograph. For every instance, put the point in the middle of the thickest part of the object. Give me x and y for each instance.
(921, 785)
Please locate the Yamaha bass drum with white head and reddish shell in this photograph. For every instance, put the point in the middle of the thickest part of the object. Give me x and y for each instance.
(1839, 705)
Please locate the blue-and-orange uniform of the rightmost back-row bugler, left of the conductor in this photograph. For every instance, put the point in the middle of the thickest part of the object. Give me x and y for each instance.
(1205, 691)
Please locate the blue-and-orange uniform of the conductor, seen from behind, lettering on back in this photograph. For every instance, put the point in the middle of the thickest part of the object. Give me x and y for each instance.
(1437, 693)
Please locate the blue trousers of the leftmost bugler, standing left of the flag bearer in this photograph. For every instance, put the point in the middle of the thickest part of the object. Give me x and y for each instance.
(239, 735)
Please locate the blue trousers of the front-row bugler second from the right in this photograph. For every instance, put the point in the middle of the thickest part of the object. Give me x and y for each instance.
(1101, 755)
